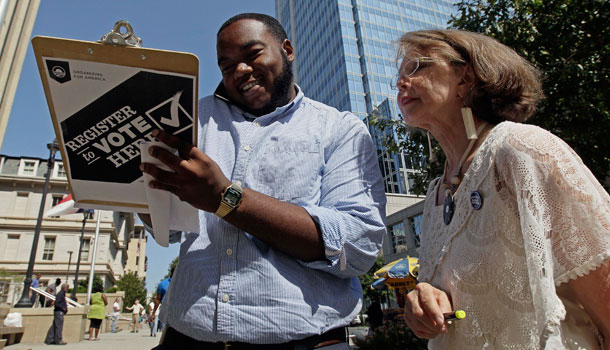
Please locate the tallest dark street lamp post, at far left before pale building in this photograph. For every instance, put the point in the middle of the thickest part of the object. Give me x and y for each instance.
(25, 300)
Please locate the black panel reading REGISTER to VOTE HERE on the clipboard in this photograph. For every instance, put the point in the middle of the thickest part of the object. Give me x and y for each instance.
(102, 139)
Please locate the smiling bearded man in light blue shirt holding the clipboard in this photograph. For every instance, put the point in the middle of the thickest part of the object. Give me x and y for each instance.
(277, 257)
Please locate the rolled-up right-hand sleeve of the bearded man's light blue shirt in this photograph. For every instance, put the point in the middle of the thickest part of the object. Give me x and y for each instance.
(351, 212)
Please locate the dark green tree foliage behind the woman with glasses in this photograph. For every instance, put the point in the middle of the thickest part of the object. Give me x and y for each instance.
(569, 42)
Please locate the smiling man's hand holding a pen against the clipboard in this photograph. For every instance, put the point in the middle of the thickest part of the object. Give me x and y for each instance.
(196, 178)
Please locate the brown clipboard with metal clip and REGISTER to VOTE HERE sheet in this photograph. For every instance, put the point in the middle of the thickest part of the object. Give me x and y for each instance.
(104, 99)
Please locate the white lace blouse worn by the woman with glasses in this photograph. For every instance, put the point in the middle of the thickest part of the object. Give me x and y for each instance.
(545, 220)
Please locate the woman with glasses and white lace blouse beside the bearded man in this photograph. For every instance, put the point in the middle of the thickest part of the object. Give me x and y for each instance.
(517, 230)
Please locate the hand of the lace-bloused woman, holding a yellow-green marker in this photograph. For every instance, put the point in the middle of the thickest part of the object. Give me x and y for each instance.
(424, 308)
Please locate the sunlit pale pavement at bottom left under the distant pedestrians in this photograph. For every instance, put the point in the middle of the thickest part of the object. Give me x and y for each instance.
(108, 341)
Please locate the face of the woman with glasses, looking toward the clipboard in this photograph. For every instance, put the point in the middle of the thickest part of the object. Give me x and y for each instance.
(430, 94)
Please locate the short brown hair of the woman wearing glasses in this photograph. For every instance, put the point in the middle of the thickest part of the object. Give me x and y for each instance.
(506, 86)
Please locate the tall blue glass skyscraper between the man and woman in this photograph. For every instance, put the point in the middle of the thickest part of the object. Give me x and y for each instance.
(346, 57)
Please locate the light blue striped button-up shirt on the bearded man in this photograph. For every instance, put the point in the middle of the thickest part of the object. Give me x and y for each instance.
(230, 286)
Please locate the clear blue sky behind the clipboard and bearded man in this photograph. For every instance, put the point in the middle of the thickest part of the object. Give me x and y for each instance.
(179, 25)
